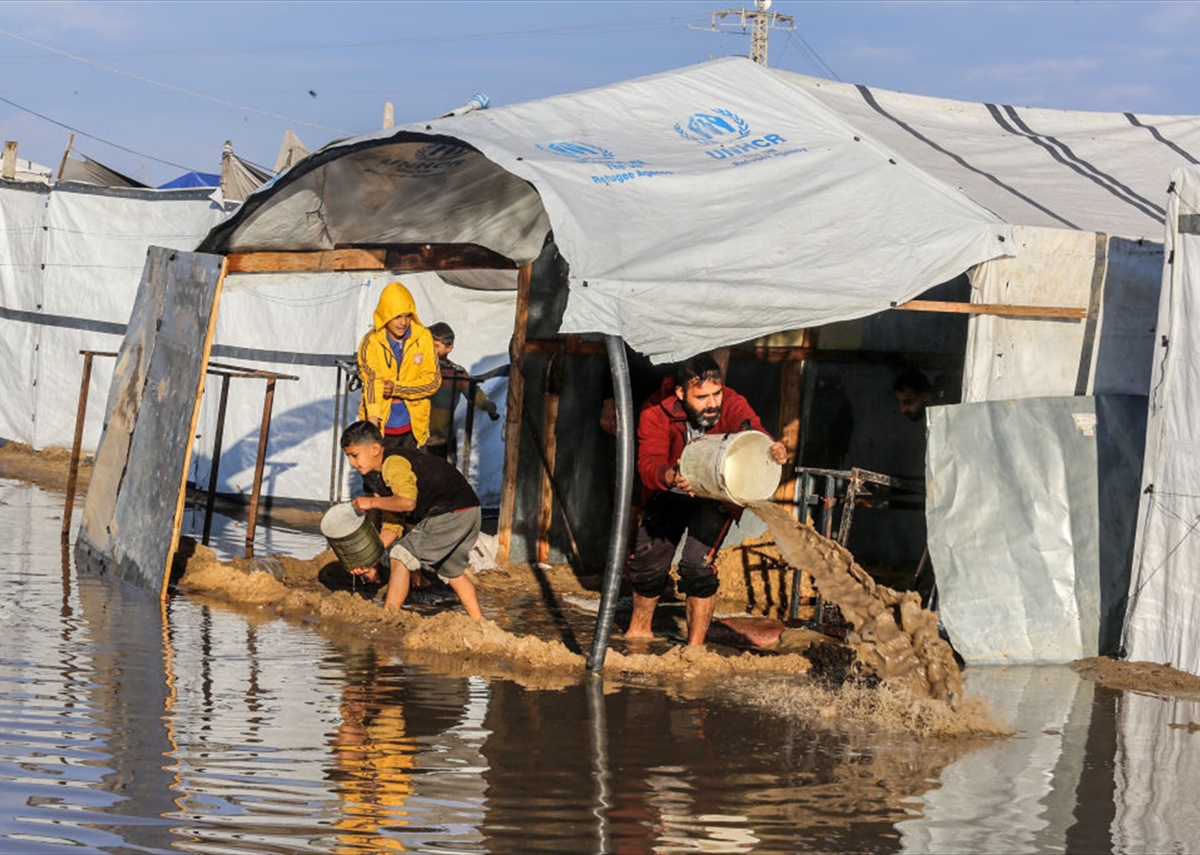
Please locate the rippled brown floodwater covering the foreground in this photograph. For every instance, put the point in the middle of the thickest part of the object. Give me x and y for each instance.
(130, 728)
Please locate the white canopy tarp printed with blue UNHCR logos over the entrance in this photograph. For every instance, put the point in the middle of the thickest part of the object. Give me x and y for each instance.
(697, 208)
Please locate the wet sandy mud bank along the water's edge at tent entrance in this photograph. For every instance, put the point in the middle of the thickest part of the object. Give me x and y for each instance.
(512, 599)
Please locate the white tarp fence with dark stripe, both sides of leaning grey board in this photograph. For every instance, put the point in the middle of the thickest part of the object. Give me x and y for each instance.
(93, 243)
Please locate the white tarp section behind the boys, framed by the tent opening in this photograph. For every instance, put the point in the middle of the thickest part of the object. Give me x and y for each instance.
(299, 325)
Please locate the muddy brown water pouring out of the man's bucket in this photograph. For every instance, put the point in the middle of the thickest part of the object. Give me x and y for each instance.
(892, 636)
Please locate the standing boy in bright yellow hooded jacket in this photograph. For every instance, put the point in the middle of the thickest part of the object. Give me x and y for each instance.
(400, 372)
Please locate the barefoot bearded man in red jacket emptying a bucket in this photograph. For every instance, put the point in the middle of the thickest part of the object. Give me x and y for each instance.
(694, 403)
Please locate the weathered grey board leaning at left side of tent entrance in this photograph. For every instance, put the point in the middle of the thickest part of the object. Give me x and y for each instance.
(136, 492)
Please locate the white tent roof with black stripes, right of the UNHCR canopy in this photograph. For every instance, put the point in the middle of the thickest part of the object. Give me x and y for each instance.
(1081, 171)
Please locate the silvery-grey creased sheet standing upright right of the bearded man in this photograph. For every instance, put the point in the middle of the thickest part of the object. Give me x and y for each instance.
(1028, 509)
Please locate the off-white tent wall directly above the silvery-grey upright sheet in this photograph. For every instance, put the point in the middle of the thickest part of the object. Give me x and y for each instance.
(1111, 352)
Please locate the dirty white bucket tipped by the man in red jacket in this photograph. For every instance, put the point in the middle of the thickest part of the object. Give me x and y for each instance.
(733, 468)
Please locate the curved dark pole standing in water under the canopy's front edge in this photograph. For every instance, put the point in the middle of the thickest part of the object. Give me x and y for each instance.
(623, 486)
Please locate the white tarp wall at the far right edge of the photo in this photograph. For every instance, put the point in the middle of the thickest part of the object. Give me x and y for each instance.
(1163, 619)
